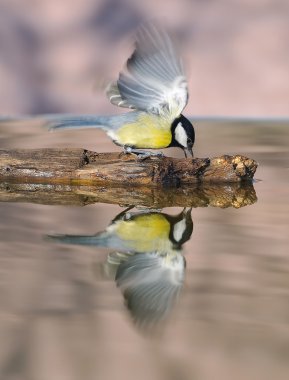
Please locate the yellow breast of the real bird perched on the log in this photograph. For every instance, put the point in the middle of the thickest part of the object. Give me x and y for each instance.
(148, 131)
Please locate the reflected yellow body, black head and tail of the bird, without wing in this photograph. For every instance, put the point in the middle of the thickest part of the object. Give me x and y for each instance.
(138, 232)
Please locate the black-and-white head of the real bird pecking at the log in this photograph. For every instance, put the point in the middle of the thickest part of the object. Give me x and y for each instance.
(183, 134)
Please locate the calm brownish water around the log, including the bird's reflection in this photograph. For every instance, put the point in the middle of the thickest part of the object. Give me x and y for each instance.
(221, 307)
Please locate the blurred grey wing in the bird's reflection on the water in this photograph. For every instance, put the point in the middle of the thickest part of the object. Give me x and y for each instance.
(149, 287)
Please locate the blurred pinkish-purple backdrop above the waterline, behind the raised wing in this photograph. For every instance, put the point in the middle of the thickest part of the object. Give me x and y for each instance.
(58, 56)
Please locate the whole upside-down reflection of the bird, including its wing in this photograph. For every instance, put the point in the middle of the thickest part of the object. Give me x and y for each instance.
(147, 257)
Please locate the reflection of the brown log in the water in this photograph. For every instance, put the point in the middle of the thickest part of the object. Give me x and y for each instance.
(217, 195)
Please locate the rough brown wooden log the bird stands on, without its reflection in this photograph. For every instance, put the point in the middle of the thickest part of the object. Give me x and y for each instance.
(82, 167)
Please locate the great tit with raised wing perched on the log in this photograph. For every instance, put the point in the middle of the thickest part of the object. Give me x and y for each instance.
(154, 86)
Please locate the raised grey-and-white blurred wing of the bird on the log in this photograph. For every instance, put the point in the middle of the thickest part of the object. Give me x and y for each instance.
(154, 80)
